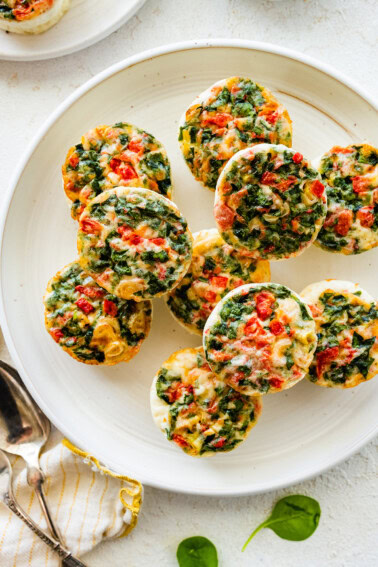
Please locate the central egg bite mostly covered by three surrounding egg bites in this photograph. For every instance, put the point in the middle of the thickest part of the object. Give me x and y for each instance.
(216, 269)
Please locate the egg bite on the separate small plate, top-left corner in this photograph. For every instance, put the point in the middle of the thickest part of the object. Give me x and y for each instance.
(31, 16)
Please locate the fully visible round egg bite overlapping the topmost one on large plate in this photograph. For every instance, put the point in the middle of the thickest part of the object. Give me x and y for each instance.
(269, 202)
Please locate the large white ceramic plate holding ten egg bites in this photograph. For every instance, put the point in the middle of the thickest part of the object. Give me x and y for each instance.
(106, 411)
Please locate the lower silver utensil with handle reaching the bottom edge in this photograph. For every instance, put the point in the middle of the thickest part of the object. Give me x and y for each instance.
(7, 497)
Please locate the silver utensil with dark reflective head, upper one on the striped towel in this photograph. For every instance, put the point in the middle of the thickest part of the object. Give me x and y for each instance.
(24, 430)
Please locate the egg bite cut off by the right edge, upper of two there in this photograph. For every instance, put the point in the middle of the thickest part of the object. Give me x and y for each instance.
(351, 176)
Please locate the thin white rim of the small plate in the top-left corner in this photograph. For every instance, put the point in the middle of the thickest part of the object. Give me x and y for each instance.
(129, 13)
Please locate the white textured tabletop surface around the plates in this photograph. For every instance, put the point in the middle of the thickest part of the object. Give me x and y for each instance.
(342, 33)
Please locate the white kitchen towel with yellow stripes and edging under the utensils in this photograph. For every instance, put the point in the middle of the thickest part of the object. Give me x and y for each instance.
(89, 504)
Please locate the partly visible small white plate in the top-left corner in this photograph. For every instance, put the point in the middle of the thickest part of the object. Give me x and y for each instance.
(85, 23)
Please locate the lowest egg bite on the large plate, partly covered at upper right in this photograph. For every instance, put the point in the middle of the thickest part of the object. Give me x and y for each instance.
(196, 410)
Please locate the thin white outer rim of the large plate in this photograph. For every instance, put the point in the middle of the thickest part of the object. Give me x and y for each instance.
(50, 121)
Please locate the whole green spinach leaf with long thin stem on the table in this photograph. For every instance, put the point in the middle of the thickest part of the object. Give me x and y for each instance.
(294, 517)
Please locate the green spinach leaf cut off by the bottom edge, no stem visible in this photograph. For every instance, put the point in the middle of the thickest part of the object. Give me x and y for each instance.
(197, 551)
